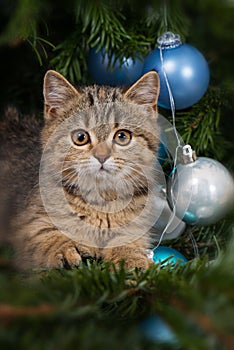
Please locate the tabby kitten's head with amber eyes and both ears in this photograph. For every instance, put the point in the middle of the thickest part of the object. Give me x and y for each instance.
(103, 140)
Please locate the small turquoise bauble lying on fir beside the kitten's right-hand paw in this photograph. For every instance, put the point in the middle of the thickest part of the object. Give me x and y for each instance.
(172, 256)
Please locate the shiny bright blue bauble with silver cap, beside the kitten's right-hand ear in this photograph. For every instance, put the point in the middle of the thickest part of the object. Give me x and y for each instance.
(185, 68)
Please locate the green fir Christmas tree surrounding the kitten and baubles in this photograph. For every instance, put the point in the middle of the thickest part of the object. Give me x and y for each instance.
(96, 305)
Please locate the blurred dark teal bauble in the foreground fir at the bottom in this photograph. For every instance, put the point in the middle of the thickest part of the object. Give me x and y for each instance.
(156, 330)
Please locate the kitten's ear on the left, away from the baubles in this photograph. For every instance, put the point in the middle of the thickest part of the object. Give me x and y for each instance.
(57, 92)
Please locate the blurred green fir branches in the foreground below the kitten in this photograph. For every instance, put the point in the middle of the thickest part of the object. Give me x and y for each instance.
(84, 305)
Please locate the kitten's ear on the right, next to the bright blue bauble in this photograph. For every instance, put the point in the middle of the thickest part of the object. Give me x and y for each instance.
(145, 91)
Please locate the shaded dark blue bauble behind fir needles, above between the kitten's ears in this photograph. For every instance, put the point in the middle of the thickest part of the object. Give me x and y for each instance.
(102, 74)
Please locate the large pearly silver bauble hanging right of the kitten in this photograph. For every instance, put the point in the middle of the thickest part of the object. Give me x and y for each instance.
(202, 191)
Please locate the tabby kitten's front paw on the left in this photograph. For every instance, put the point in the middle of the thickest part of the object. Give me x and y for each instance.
(66, 257)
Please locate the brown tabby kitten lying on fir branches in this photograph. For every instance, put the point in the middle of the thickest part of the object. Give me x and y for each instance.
(96, 193)
